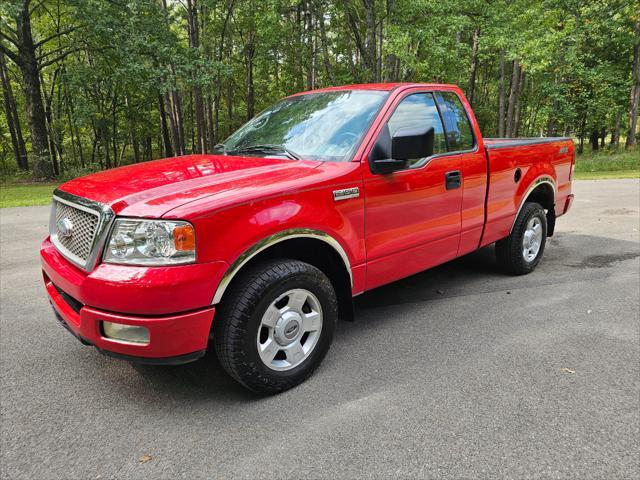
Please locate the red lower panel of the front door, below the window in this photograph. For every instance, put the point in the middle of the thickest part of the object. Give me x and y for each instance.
(412, 222)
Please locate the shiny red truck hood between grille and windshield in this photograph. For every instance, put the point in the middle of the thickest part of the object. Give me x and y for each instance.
(151, 189)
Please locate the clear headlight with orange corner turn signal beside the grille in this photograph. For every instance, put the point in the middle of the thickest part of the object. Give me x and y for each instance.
(151, 242)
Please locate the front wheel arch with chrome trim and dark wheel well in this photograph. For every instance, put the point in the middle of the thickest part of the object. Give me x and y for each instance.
(315, 247)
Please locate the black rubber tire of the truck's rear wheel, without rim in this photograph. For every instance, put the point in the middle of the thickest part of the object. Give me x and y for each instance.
(509, 251)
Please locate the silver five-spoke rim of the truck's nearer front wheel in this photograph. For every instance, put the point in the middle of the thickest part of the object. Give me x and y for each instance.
(289, 329)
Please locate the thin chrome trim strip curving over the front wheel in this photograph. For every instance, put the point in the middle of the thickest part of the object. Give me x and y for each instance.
(272, 240)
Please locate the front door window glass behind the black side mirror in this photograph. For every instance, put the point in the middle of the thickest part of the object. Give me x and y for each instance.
(419, 109)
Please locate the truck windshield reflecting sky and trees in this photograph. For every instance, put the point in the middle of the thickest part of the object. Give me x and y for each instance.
(325, 126)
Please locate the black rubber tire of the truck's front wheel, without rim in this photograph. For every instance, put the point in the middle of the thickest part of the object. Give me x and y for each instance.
(238, 319)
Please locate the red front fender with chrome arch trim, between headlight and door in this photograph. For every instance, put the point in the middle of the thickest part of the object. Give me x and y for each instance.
(236, 233)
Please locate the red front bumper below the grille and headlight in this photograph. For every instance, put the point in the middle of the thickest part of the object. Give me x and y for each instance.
(149, 296)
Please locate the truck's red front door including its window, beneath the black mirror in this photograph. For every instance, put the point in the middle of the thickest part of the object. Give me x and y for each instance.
(413, 216)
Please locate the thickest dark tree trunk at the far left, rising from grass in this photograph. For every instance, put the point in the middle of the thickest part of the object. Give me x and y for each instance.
(28, 63)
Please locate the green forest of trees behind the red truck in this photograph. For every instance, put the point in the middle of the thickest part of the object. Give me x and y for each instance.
(93, 84)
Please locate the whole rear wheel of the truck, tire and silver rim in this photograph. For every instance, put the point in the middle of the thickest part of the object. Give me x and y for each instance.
(522, 250)
